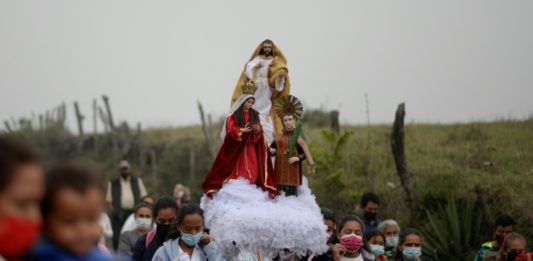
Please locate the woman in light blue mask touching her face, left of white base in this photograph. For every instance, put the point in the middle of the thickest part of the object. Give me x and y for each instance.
(188, 241)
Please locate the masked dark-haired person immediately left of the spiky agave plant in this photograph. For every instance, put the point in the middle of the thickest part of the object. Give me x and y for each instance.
(410, 246)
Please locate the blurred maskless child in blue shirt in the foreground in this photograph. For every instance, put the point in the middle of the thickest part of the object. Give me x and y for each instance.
(71, 209)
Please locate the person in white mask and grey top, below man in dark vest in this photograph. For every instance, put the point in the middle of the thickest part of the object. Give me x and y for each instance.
(143, 224)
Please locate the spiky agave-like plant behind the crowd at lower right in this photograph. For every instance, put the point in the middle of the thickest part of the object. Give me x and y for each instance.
(451, 232)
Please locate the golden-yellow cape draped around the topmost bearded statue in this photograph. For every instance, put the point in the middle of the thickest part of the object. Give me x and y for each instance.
(278, 80)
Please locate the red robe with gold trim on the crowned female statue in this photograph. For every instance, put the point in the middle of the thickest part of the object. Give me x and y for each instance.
(242, 155)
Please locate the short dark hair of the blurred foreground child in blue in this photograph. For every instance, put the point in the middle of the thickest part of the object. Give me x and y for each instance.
(68, 176)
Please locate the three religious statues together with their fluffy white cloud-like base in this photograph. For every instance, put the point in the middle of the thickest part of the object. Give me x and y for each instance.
(242, 205)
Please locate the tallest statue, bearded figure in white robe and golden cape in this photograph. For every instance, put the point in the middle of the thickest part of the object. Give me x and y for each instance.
(267, 72)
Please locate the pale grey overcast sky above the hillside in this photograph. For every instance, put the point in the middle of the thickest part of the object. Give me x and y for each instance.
(450, 61)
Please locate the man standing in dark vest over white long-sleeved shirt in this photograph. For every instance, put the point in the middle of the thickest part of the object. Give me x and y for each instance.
(123, 193)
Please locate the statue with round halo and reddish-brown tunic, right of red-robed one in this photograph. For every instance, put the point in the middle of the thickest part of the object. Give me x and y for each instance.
(289, 147)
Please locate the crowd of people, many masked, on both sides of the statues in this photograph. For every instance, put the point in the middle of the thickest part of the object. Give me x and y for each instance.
(61, 214)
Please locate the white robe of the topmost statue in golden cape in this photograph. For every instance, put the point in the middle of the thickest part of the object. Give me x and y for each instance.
(263, 94)
